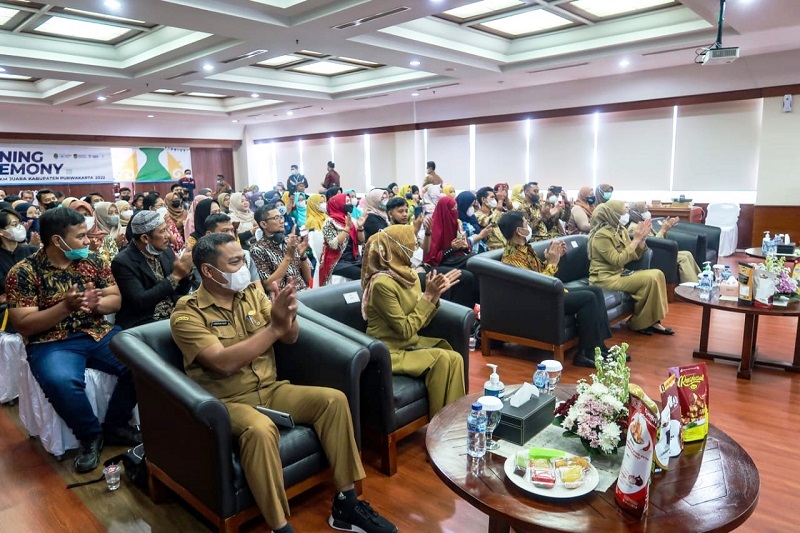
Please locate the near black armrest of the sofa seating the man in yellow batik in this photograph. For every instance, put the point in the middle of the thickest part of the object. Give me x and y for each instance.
(519, 302)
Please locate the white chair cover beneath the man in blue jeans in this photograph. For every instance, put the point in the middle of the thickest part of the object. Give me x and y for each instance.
(40, 419)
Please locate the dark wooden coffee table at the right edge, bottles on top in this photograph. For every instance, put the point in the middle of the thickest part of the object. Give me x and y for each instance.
(748, 357)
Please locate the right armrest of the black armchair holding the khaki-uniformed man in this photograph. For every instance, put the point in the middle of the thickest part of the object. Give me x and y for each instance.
(323, 358)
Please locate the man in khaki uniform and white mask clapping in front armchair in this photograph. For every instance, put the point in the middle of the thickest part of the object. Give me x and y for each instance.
(226, 331)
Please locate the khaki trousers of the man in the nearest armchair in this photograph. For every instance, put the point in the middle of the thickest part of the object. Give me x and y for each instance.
(323, 408)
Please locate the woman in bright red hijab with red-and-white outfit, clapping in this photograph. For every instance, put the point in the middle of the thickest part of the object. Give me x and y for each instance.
(340, 243)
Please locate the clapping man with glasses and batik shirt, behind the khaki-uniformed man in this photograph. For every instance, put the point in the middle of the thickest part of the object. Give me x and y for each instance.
(279, 258)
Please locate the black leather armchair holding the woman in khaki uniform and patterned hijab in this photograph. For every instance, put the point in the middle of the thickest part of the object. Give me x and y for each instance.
(392, 406)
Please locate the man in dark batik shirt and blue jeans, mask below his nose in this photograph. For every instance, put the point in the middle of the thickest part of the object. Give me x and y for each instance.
(57, 300)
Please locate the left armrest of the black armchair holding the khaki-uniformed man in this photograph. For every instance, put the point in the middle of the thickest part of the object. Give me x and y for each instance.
(186, 430)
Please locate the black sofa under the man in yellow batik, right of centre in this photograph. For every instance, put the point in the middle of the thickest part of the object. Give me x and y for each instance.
(527, 308)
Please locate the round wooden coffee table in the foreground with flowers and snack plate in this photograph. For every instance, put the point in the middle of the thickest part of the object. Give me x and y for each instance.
(713, 486)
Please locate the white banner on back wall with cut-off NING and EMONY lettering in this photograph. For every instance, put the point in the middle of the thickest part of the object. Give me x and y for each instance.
(35, 164)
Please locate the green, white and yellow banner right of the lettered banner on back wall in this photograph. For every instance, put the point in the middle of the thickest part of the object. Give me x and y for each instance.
(150, 164)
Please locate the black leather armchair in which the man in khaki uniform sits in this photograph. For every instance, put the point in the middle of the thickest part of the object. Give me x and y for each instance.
(187, 431)
